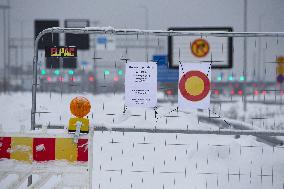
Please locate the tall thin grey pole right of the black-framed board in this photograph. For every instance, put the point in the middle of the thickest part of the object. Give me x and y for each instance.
(245, 56)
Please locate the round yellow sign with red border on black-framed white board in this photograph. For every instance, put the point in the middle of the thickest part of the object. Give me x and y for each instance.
(200, 48)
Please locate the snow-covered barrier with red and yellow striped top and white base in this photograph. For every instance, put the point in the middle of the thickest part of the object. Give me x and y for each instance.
(47, 154)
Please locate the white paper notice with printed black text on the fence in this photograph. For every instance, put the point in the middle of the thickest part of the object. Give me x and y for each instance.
(141, 84)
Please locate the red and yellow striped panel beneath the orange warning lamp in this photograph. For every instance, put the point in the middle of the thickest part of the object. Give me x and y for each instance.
(43, 149)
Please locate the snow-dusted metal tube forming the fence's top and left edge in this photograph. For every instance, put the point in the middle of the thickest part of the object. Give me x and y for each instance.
(135, 32)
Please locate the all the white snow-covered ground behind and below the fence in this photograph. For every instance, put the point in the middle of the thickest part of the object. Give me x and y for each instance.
(142, 160)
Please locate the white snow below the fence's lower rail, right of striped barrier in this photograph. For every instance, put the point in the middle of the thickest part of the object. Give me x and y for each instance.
(191, 155)
